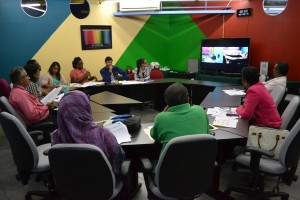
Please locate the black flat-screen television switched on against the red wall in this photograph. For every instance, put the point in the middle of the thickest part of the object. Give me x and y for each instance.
(228, 55)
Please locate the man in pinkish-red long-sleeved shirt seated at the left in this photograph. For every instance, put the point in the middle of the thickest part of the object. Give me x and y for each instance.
(26, 104)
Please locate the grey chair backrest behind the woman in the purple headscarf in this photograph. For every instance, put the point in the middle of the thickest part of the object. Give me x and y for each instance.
(81, 171)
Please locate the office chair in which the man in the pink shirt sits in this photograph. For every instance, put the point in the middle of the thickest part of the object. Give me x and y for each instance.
(45, 127)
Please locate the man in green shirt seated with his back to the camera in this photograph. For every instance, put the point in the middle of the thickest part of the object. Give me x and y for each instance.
(179, 118)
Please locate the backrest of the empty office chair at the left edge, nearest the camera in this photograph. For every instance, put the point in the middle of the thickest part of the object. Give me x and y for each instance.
(23, 148)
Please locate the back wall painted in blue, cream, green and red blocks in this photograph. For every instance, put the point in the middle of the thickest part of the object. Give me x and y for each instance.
(170, 40)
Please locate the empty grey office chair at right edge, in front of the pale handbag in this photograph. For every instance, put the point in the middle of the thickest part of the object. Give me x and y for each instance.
(261, 163)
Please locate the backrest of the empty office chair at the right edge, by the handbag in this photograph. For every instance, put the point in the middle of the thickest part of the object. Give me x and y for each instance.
(290, 150)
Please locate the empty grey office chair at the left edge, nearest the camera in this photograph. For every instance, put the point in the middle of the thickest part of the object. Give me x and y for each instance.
(28, 157)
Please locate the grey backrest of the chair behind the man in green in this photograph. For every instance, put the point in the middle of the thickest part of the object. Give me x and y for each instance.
(186, 165)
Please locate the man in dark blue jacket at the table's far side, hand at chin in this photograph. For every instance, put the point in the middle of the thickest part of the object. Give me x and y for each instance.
(110, 72)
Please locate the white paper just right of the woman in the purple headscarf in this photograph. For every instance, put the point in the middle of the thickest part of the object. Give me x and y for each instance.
(120, 131)
